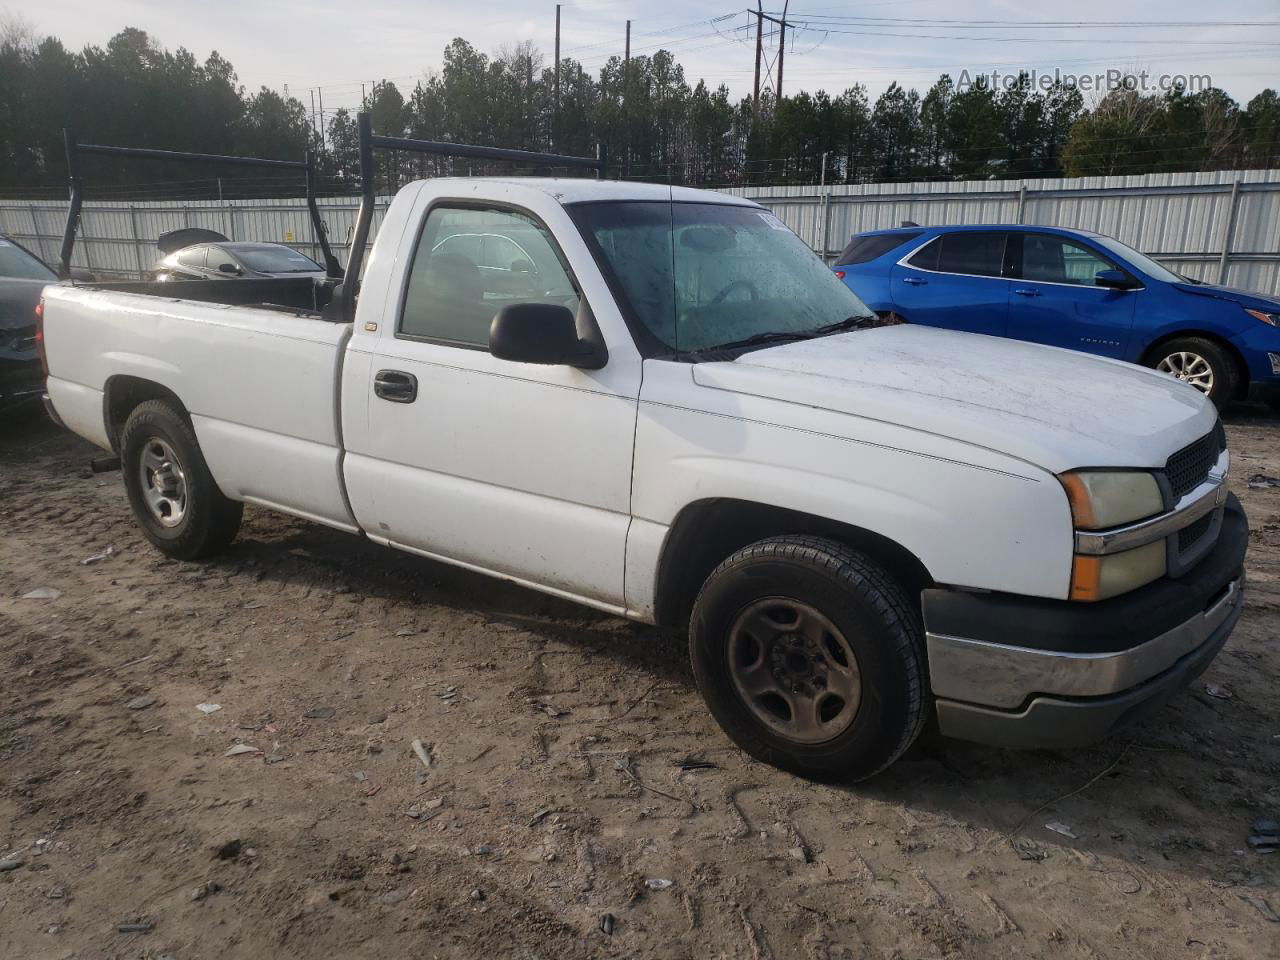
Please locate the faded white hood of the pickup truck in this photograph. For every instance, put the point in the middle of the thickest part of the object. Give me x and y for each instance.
(1055, 409)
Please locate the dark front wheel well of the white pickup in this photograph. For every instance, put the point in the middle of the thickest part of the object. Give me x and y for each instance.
(708, 532)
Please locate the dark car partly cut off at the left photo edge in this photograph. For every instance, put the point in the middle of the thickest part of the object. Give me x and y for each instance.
(22, 278)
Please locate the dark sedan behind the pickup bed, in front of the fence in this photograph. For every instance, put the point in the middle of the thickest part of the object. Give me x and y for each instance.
(205, 255)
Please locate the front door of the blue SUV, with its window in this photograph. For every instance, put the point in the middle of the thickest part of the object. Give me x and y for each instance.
(1055, 300)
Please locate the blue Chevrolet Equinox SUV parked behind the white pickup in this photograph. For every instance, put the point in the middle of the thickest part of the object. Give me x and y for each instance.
(1076, 290)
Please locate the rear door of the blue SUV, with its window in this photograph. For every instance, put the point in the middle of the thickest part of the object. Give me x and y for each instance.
(956, 281)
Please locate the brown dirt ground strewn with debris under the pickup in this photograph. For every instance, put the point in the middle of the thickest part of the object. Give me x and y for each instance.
(580, 802)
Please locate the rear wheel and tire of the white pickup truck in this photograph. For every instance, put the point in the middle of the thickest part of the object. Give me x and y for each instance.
(173, 496)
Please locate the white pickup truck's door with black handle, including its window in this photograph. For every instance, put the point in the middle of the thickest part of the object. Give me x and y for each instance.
(516, 469)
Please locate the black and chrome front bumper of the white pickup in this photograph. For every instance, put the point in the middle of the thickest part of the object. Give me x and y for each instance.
(1023, 673)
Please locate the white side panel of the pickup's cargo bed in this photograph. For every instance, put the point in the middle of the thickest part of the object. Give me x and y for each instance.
(260, 386)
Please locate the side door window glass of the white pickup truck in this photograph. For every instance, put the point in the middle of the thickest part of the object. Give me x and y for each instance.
(456, 286)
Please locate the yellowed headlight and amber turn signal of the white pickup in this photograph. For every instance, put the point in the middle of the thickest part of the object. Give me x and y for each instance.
(1107, 499)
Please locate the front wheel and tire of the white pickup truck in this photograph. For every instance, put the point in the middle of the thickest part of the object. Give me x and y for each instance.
(863, 614)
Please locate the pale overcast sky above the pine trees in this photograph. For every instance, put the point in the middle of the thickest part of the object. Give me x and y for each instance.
(337, 45)
